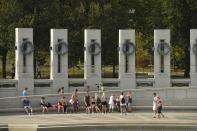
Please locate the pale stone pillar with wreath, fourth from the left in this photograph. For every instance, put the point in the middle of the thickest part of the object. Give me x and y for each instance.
(127, 76)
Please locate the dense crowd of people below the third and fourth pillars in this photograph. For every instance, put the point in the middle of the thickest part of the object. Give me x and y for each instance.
(97, 104)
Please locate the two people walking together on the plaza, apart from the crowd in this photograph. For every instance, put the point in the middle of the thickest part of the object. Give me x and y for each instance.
(157, 106)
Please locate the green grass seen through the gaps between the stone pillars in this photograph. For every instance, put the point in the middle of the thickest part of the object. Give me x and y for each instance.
(78, 72)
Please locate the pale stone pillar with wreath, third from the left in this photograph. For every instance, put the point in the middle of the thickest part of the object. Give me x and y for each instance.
(92, 57)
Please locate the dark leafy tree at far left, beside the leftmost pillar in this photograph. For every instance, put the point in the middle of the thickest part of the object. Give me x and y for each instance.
(8, 15)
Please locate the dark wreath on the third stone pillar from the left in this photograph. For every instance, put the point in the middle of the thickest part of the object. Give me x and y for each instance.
(92, 48)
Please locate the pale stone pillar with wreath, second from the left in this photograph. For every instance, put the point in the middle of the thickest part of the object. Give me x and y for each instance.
(59, 59)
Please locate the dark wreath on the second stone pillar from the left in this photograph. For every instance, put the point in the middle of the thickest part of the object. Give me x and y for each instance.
(61, 48)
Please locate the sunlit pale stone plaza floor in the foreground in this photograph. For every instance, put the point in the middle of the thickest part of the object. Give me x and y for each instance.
(182, 120)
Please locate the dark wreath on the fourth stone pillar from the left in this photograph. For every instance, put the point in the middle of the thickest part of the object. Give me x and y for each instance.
(128, 48)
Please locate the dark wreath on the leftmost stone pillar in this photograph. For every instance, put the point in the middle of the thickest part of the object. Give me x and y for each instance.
(26, 47)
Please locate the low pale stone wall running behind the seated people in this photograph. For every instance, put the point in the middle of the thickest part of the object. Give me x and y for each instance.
(172, 97)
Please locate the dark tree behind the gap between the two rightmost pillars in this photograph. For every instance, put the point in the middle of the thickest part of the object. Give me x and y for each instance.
(178, 17)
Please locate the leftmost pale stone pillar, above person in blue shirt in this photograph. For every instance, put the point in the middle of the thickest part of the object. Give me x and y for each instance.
(24, 59)
